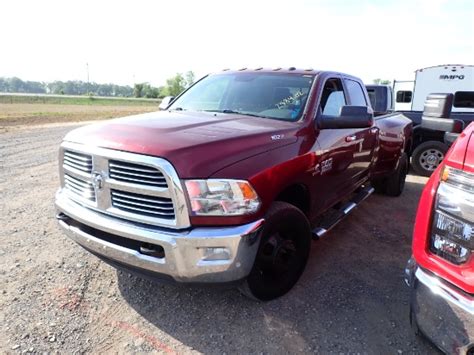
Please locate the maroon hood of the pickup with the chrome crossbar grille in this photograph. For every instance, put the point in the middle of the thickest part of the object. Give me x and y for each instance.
(196, 143)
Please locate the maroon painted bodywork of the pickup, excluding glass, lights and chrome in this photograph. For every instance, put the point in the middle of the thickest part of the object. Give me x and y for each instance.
(204, 145)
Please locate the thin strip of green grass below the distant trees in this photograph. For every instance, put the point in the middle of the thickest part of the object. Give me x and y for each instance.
(76, 100)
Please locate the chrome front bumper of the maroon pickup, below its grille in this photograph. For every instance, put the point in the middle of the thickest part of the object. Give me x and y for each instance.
(186, 253)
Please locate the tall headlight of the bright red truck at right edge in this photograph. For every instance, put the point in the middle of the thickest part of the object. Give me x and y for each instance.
(452, 232)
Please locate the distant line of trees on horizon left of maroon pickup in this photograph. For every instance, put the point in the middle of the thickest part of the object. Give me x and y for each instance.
(173, 87)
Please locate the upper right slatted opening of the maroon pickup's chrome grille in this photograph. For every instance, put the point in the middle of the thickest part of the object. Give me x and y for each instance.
(136, 174)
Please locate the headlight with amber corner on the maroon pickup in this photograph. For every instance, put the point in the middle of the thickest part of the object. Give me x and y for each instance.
(216, 197)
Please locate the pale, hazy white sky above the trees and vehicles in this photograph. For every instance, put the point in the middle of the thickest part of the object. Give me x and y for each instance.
(135, 41)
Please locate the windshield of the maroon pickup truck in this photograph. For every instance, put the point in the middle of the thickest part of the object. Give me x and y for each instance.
(268, 95)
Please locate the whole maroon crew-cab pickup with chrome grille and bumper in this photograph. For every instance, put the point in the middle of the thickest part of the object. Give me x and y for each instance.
(233, 180)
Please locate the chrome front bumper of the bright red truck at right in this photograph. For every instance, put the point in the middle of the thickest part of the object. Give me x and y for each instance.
(441, 312)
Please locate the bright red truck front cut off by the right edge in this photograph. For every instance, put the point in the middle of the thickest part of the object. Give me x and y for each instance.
(441, 272)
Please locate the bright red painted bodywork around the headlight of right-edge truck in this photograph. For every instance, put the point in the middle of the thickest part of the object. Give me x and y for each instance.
(460, 275)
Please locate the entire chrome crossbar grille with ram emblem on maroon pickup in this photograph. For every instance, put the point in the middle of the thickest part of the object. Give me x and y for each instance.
(130, 186)
